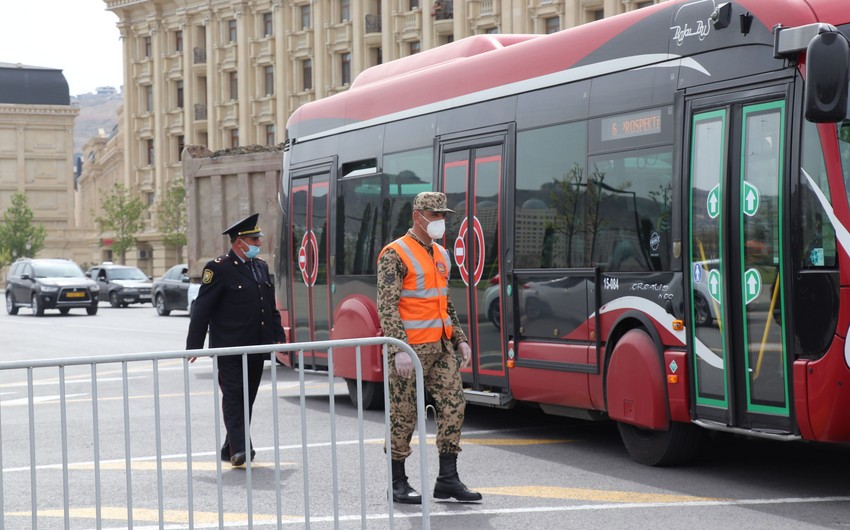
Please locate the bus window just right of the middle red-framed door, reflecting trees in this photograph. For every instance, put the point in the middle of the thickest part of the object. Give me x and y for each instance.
(550, 188)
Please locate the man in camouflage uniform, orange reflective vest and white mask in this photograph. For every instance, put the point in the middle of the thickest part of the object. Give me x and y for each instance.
(414, 306)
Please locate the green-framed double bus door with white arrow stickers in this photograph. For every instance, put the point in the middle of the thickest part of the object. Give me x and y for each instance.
(736, 280)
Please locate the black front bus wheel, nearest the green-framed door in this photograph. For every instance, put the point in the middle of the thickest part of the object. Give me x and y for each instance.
(677, 446)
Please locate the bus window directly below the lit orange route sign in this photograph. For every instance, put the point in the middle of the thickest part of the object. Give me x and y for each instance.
(628, 210)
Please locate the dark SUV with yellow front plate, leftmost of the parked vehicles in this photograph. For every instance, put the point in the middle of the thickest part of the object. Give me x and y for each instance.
(49, 284)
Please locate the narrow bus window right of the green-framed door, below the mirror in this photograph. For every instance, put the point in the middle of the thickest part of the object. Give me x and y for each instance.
(818, 250)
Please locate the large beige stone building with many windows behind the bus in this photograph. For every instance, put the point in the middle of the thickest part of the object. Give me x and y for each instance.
(224, 73)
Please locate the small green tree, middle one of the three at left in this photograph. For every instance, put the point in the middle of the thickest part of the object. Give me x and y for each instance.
(122, 218)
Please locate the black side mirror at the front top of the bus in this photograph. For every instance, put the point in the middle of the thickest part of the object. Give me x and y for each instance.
(827, 63)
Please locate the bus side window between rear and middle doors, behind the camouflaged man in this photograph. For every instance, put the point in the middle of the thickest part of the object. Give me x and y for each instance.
(374, 210)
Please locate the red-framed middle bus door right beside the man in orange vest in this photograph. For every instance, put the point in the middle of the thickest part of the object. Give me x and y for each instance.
(472, 177)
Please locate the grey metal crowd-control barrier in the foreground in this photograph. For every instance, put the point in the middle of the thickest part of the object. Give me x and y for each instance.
(93, 455)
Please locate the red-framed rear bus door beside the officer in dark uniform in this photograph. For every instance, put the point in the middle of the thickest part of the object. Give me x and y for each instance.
(310, 305)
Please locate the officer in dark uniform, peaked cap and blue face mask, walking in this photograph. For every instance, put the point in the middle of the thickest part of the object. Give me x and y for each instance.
(236, 302)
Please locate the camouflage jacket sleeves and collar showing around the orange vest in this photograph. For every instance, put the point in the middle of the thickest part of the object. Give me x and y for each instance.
(391, 273)
